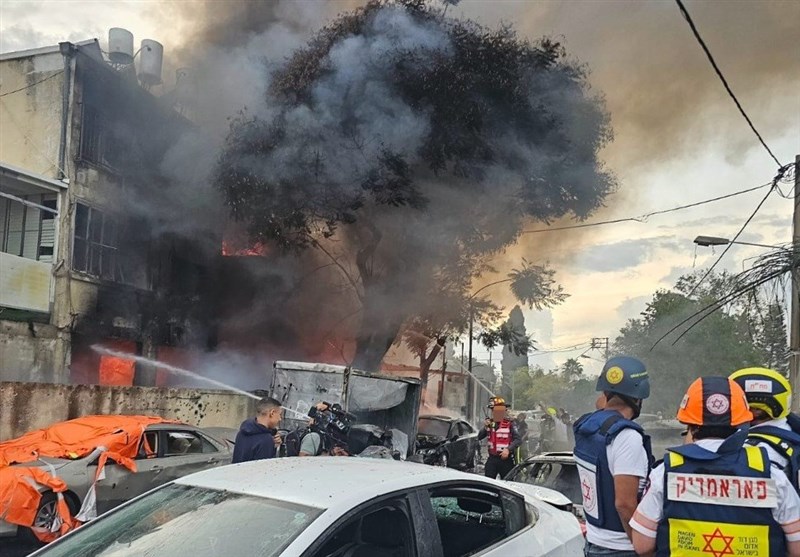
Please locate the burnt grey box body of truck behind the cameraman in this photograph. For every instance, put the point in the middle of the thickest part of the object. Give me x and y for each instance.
(380, 410)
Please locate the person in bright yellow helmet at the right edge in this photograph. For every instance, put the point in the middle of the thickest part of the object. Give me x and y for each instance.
(774, 428)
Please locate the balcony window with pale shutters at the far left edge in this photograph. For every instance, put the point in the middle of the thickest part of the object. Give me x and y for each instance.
(26, 231)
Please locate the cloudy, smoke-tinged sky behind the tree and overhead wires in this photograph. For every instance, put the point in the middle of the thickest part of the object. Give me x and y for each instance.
(678, 136)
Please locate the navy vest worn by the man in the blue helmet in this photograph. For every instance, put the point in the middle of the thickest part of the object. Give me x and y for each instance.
(593, 433)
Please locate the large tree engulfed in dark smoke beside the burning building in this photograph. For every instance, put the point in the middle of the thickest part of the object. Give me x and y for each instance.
(410, 148)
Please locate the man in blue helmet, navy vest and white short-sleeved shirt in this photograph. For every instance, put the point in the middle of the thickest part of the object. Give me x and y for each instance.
(614, 457)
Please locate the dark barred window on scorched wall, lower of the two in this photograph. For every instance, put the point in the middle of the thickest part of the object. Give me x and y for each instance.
(95, 244)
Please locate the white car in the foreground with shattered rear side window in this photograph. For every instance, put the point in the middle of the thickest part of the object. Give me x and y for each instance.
(330, 507)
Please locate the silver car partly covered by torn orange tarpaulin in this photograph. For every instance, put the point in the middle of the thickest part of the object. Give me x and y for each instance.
(56, 478)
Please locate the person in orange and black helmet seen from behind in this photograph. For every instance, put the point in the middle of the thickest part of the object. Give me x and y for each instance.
(722, 495)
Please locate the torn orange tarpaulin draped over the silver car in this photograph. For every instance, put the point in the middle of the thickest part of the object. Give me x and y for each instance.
(73, 439)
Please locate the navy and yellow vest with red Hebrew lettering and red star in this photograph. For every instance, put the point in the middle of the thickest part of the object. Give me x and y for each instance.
(719, 503)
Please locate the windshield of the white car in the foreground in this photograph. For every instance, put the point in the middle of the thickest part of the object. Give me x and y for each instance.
(180, 520)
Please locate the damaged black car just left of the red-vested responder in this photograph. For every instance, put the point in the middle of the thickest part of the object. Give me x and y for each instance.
(448, 442)
